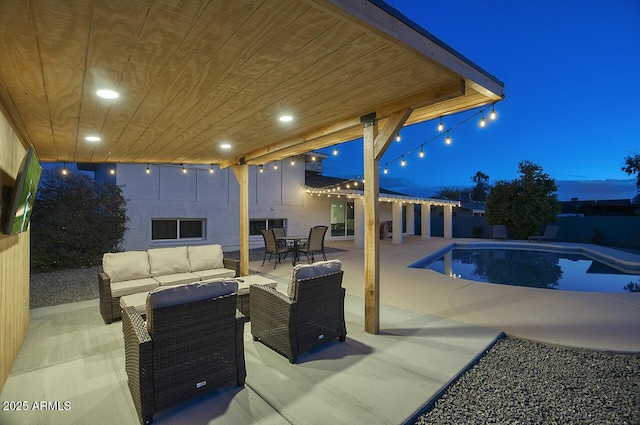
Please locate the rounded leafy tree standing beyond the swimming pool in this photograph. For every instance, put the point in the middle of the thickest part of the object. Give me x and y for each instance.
(525, 204)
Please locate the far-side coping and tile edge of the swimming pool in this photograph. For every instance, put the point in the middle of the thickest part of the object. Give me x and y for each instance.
(620, 260)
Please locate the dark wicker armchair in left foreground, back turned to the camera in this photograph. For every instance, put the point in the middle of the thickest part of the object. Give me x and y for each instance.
(184, 349)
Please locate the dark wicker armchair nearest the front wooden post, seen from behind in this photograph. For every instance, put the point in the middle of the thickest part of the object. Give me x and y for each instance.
(311, 315)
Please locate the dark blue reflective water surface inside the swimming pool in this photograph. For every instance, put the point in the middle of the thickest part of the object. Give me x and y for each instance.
(535, 269)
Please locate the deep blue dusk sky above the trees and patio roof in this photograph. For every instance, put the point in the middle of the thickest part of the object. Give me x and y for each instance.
(572, 105)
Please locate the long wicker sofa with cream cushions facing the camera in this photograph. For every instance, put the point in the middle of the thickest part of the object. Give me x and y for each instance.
(132, 272)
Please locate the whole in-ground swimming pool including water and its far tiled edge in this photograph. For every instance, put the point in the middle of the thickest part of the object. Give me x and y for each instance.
(536, 266)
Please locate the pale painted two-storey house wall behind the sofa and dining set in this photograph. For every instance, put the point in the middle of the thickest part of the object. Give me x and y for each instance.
(167, 192)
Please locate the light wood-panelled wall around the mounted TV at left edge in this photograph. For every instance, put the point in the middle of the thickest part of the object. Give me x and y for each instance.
(14, 264)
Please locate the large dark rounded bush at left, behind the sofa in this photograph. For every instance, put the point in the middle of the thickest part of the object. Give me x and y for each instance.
(75, 221)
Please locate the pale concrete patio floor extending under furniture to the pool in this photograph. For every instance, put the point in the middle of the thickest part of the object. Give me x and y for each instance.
(432, 329)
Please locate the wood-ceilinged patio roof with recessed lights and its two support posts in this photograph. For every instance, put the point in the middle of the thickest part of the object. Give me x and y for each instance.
(206, 82)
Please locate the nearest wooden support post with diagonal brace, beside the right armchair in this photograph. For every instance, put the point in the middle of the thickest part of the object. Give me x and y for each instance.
(374, 147)
